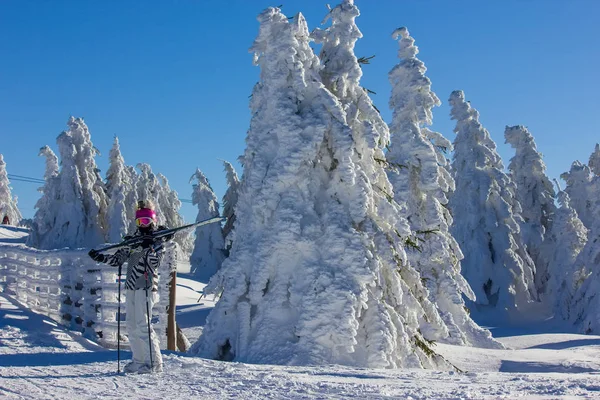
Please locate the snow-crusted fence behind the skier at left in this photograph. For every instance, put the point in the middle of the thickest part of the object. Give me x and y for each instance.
(73, 290)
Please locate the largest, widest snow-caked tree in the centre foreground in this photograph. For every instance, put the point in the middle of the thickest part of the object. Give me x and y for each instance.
(315, 274)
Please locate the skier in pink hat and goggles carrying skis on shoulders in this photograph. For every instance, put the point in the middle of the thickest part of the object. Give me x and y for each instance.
(141, 284)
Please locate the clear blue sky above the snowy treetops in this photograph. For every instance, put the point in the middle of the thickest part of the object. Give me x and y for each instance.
(172, 78)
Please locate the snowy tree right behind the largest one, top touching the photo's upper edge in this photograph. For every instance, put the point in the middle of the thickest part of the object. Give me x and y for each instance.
(341, 74)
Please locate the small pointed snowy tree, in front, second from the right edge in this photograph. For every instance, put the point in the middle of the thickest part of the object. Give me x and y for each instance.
(564, 241)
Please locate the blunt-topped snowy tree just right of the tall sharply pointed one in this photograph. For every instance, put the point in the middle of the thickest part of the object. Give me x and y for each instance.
(535, 194)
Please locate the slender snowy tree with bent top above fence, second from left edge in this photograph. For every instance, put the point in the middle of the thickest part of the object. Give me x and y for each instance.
(43, 220)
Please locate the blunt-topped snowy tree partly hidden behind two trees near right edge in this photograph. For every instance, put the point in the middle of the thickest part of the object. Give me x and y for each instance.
(578, 181)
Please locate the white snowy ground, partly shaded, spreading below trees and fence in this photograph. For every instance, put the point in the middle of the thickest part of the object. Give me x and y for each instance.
(41, 360)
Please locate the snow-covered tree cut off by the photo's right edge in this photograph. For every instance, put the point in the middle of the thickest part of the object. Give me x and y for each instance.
(586, 304)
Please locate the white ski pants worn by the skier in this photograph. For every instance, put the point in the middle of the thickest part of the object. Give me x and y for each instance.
(137, 327)
